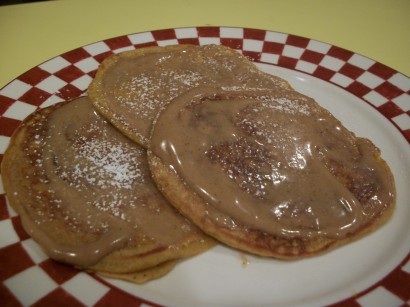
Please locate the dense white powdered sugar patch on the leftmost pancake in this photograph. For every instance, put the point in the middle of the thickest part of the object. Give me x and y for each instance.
(96, 158)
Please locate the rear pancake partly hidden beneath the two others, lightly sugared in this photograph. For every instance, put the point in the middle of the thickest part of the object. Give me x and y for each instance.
(130, 88)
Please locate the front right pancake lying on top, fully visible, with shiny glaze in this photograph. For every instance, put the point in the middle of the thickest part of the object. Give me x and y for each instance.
(269, 172)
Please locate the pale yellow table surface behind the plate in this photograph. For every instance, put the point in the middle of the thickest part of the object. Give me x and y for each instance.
(33, 33)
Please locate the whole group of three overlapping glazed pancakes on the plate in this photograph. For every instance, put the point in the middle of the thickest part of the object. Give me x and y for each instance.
(177, 146)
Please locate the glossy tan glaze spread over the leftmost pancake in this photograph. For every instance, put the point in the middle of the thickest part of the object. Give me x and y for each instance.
(96, 183)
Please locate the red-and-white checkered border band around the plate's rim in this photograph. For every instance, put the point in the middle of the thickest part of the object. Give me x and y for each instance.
(67, 76)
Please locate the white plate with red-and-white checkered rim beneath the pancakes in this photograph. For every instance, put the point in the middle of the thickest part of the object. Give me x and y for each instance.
(370, 98)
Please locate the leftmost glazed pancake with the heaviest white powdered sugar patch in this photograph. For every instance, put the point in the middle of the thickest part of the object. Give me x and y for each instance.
(85, 194)
